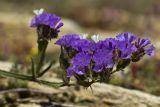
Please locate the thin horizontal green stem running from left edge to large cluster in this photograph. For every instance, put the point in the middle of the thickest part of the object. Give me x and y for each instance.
(30, 78)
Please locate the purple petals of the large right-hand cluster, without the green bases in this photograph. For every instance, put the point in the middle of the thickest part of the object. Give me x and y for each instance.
(103, 55)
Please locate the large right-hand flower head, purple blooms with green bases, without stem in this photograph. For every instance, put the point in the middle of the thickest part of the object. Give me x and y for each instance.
(92, 60)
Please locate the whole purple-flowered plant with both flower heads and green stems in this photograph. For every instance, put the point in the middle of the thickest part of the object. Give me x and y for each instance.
(85, 57)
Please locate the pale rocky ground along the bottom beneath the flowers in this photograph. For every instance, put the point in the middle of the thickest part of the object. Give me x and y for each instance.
(100, 95)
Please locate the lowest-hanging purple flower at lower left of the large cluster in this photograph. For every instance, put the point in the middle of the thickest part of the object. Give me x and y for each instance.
(79, 63)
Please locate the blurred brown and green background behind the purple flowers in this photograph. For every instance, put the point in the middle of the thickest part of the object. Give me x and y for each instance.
(104, 17)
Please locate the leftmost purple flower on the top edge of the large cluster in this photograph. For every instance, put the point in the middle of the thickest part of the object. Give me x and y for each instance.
(68, 40)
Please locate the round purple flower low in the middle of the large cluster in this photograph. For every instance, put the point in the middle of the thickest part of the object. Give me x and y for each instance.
(103, 59)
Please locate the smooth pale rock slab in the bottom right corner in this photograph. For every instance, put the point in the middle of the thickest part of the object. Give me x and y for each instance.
(120, 97)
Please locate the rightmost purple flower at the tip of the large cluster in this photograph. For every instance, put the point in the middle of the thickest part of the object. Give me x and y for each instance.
(142, 44)
